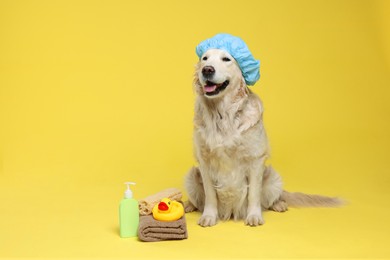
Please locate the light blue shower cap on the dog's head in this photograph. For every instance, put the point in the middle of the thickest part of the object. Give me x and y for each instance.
(250, 67)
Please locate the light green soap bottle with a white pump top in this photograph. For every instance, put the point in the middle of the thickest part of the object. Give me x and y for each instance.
(128, 214)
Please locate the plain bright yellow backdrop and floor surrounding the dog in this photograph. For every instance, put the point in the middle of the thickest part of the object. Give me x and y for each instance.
(95, 93)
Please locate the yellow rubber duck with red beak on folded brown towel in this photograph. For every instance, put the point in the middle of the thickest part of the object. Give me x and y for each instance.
(168, 210)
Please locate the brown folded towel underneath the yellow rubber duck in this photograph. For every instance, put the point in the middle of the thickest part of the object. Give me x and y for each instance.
(151, 230)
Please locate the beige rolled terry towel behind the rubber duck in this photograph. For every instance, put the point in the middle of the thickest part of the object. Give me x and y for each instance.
(146, 205)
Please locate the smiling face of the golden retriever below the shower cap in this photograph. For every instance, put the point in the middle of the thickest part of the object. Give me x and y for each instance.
(217, 74)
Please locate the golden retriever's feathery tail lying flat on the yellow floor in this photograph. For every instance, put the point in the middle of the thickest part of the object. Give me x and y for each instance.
(297, 199)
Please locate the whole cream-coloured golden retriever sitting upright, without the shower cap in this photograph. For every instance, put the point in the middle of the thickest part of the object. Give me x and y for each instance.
(231, 148)
